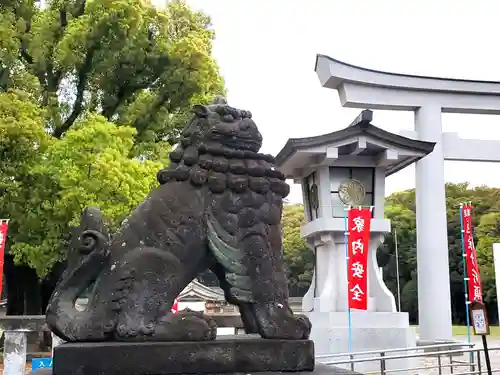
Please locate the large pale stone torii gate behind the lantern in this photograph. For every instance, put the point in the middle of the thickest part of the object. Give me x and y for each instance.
(427, 97)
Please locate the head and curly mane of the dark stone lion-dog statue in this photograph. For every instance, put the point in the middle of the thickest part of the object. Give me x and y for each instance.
(206, 160)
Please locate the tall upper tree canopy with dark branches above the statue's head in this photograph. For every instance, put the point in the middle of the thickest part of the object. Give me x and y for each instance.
(126, 60)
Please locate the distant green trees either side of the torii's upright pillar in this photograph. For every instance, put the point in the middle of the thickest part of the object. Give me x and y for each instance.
(400, 209)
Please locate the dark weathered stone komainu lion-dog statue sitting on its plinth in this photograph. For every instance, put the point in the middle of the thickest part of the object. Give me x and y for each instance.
(218, 207)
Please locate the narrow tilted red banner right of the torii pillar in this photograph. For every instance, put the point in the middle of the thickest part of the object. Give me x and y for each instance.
(474, 284)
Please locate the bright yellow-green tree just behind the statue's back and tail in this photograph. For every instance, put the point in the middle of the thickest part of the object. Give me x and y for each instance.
(89, 166)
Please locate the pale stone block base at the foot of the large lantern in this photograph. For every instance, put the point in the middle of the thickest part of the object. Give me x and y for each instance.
(370, 331)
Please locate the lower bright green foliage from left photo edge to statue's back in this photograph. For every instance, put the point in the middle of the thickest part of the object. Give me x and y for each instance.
(48, 188)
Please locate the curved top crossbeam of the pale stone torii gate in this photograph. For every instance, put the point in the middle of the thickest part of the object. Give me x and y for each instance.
(406, 92)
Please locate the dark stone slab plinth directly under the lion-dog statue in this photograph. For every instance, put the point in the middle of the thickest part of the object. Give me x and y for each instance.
(233, 354)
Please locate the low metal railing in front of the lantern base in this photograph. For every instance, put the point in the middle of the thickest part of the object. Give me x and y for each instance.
(444, 356)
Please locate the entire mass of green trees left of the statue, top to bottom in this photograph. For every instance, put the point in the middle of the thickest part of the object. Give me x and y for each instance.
(102, 65)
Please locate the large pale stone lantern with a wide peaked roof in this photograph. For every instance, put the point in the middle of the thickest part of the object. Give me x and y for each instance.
(348, 168)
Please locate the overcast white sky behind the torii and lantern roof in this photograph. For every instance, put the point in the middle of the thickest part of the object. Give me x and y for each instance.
(266, 50)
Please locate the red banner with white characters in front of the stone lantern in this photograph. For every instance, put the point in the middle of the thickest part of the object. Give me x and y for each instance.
(358, 229)
